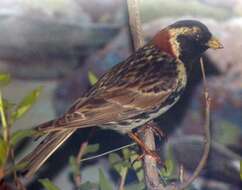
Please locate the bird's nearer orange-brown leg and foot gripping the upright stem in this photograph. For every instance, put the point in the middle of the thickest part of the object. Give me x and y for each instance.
(146, 150)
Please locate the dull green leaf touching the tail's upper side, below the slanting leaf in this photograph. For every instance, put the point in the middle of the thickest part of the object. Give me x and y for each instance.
(17, 136)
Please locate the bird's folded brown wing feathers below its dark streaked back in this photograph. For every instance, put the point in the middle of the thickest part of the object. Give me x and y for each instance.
(111, 106)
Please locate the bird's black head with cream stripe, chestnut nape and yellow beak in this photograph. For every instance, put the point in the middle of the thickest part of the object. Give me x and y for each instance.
(186, 40)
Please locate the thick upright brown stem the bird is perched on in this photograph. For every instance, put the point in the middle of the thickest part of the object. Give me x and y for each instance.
(150, 165)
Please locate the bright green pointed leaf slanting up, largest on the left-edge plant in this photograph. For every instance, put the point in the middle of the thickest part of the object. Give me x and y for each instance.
(27, 102)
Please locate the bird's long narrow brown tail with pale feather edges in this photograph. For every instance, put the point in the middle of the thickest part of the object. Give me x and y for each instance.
(44, 150)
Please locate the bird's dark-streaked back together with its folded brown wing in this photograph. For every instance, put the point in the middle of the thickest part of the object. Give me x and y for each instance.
(129, 89)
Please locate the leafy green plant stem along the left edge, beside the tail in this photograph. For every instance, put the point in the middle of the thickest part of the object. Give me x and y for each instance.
(9, 114)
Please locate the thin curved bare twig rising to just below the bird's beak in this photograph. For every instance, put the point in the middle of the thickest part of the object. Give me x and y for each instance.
(207, 135)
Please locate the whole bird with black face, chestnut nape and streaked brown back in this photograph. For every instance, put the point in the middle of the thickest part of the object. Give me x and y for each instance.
(132, 93)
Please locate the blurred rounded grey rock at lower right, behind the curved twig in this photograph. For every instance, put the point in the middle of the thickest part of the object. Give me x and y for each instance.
(223, 164)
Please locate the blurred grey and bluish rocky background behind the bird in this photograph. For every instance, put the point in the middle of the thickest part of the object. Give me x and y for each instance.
(55, 43)
